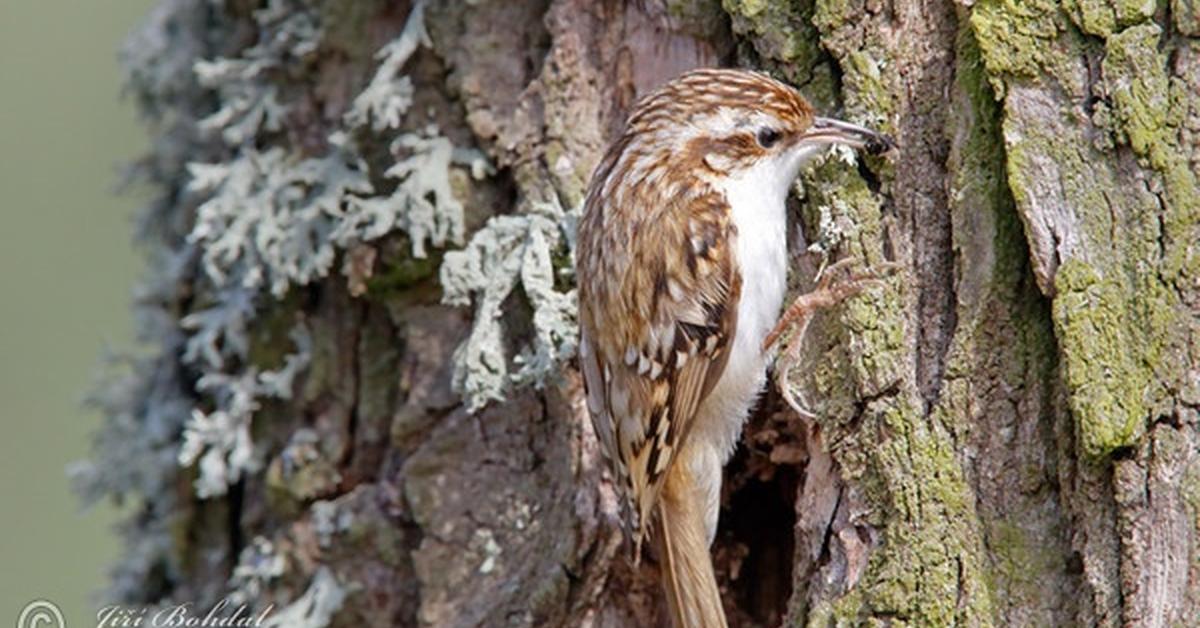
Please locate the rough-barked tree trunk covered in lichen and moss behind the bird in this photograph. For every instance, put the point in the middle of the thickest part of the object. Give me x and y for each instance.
(358, 402)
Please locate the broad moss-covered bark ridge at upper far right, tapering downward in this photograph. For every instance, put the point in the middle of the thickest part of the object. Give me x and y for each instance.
(1106, 238)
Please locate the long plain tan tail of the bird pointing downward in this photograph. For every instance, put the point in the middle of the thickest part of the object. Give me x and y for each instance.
(688, 578)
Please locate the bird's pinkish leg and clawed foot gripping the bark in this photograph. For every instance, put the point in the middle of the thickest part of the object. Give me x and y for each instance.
(829, 292)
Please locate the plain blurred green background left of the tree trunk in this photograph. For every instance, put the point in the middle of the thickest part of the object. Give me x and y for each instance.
(67, 271)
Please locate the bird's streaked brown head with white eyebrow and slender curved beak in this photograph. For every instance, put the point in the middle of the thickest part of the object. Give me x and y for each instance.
(734, 124)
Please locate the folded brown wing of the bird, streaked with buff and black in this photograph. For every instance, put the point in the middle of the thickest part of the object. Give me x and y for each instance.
(658, 315)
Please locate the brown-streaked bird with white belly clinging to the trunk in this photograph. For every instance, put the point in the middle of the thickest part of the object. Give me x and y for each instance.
(682, 272)
